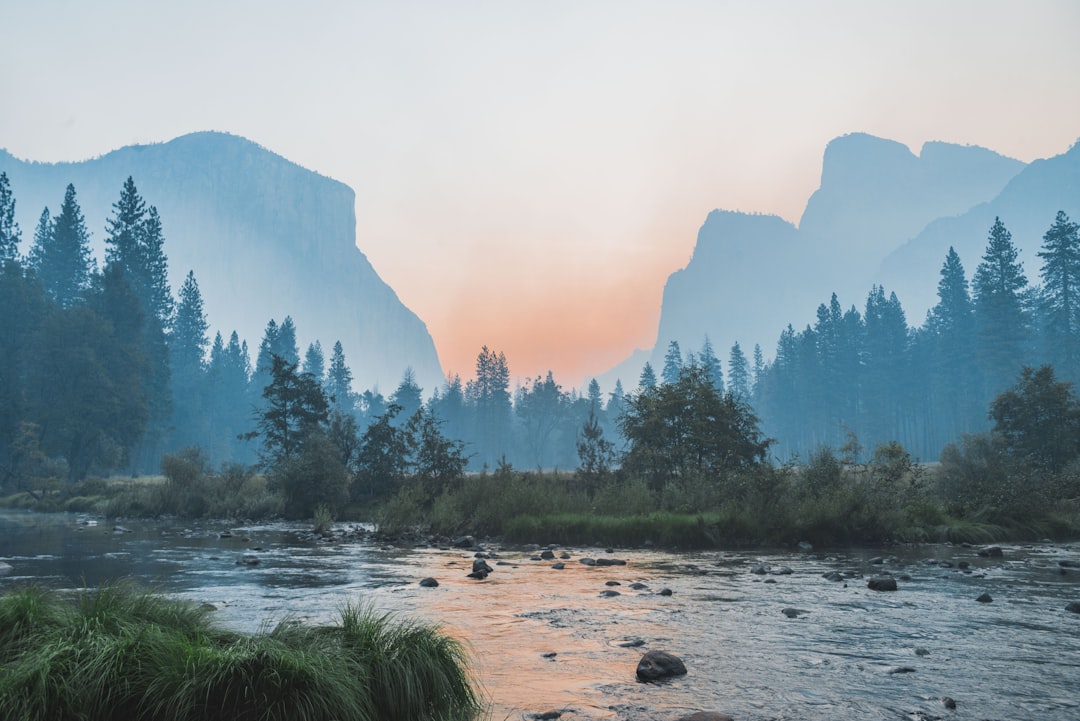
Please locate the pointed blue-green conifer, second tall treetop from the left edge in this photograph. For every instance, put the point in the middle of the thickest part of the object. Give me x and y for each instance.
(61, 253)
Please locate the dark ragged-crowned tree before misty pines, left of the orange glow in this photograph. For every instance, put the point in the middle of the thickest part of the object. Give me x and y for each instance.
(295, 409)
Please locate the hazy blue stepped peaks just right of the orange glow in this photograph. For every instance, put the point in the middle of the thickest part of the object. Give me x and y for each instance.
(751, 276)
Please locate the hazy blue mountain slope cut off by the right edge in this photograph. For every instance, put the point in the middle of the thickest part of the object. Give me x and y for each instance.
(1028, 207)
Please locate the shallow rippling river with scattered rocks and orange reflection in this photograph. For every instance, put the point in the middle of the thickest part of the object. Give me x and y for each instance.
(765, 645)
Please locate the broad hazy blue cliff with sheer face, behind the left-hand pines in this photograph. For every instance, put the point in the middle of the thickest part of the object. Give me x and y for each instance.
(265, 237)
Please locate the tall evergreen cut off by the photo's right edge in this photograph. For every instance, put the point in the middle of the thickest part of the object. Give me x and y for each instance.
(1061, 295)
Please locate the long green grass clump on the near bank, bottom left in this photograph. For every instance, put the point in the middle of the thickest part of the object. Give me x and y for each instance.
(126, 654)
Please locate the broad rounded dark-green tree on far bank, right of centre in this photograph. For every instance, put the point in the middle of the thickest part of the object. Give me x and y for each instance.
(688, 429)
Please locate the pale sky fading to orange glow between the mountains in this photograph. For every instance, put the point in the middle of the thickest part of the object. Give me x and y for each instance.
(529, 174)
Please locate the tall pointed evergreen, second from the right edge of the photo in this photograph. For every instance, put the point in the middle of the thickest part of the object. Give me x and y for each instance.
(1003, 321)
